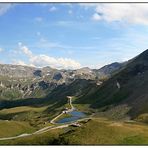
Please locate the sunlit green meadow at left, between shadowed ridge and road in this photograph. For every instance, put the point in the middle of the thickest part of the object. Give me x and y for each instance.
(33, 115)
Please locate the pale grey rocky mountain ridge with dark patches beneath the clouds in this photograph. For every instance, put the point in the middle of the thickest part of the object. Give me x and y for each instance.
(24, 81)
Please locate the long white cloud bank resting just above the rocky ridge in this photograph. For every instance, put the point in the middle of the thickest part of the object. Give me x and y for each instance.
(42, 60)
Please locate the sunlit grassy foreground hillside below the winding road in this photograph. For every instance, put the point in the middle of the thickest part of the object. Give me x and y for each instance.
(95, 131)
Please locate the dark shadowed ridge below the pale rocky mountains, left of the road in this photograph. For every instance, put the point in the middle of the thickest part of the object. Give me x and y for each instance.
(56, 98)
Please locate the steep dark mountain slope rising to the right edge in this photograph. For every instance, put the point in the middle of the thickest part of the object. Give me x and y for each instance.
(127, 89)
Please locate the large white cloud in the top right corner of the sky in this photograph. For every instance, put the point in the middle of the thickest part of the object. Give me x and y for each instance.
(125, 12)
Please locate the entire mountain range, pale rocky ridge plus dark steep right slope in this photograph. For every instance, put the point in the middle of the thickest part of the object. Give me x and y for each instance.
(112, 88)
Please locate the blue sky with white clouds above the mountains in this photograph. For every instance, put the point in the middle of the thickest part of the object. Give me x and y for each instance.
(72, 35)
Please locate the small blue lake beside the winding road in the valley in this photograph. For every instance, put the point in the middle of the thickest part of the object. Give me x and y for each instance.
(75, 116)
